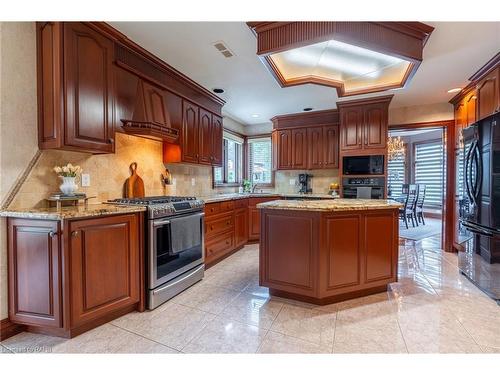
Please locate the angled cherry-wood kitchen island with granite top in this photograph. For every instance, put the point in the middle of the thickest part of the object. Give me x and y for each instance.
(329, 250)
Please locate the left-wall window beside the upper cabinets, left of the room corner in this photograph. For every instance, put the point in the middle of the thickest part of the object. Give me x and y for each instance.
(231, 172)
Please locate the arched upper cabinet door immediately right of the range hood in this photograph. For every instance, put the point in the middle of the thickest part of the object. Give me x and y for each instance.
(190, 137)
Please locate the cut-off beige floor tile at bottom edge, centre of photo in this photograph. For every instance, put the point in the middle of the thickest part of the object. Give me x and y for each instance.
(275, 343)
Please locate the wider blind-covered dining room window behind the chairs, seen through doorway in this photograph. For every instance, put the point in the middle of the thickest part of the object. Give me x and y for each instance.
(429, 171)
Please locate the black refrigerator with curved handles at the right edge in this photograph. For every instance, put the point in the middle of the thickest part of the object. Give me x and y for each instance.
(480, 211)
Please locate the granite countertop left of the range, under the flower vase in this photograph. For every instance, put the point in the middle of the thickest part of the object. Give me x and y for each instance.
(70, 212)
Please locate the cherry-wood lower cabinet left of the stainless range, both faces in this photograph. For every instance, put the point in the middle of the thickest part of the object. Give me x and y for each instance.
(65, 282)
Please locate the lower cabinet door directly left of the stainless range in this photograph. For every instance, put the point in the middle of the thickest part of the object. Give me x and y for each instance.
(104, 259)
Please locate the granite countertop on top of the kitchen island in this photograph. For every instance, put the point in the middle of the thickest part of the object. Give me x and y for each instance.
(331, 205)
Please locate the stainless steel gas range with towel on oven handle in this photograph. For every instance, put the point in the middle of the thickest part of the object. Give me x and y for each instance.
(174, 243)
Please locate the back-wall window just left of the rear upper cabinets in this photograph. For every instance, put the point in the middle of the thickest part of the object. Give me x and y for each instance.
(260, 161)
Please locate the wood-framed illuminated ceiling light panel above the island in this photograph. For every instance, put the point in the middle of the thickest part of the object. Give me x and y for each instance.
(353, 57)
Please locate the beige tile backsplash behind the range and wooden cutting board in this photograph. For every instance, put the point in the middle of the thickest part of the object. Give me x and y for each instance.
(108, 173)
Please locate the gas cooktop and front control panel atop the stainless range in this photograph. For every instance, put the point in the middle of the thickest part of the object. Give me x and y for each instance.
(161, 206)
